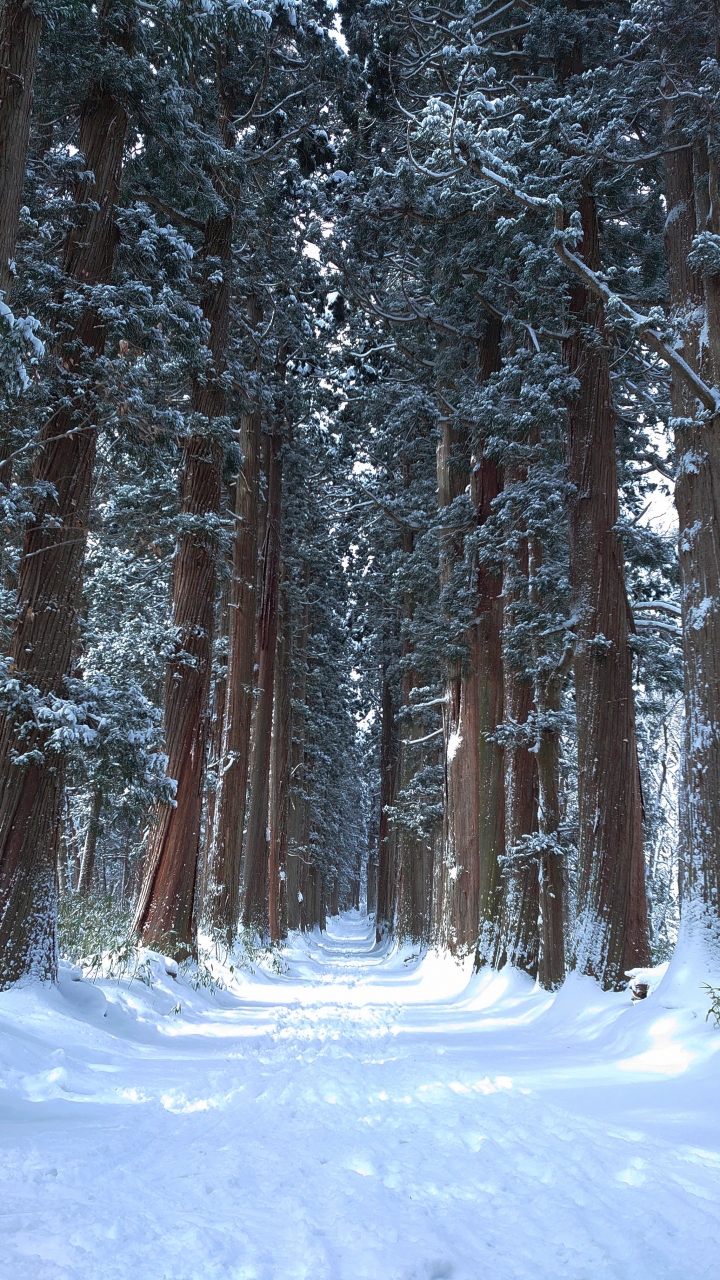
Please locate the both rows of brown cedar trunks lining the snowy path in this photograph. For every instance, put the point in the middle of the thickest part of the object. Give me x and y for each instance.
(458, 892)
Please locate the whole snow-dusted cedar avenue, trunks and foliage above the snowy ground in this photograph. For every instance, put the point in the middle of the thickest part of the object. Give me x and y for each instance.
(352, 359)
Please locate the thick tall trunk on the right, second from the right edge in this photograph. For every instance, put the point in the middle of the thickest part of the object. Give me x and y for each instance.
(612, 930)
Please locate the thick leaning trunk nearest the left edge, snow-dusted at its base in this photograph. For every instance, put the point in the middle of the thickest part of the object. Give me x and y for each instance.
(51, 572)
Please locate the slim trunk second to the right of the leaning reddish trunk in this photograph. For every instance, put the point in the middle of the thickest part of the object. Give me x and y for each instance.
(256, 879)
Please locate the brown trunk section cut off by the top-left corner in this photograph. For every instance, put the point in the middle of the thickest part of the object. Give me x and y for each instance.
(20, 43)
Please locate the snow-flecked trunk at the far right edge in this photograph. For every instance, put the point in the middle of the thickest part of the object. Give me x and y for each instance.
(694, 195)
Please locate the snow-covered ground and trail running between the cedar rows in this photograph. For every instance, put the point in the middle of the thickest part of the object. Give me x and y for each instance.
(364, 1114)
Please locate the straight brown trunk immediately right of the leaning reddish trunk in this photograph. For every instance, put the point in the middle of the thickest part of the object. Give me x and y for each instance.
(235, 767)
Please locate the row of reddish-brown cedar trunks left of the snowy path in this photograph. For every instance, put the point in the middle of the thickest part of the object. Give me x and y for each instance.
(253, 746)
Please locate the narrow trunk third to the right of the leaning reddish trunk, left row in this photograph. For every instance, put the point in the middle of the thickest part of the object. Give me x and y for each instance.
(280, 781)
